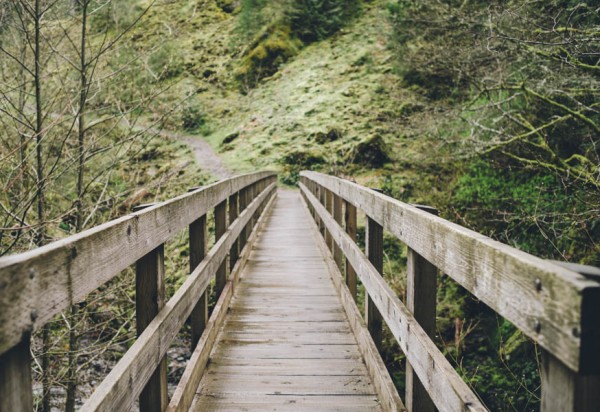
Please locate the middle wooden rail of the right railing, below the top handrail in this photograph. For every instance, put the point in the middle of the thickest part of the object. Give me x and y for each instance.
(446, 388)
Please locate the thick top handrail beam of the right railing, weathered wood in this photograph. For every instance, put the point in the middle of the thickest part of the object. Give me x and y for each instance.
(542, 299)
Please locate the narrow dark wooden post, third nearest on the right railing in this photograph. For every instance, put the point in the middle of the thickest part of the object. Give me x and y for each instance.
(375, 254)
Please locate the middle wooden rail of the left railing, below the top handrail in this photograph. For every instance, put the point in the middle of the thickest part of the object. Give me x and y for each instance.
(126, 380)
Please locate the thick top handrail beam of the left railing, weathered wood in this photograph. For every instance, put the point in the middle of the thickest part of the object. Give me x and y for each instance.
(50, 279)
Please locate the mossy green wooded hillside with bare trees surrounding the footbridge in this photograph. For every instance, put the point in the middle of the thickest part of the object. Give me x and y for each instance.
(487, 111)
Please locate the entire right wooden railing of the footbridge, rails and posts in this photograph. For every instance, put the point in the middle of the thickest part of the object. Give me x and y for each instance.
(556, 307)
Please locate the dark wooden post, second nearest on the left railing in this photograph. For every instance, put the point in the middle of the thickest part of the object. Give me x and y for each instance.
(150, 299)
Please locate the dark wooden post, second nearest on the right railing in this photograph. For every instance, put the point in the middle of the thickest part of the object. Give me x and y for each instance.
(421, 292)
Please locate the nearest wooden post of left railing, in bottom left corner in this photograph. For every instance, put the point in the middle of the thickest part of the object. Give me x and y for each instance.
(15, 378)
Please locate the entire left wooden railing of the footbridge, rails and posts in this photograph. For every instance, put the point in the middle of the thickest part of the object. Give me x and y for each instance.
(37, 285)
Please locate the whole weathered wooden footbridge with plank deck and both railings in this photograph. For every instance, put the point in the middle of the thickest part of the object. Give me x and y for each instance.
(285, 333)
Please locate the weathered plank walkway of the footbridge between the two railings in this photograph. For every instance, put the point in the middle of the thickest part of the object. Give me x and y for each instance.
(286, 343)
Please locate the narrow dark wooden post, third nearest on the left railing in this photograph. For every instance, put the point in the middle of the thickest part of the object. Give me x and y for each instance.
(199, 316)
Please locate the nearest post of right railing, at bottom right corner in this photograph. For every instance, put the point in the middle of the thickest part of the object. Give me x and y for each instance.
(564, 390)
